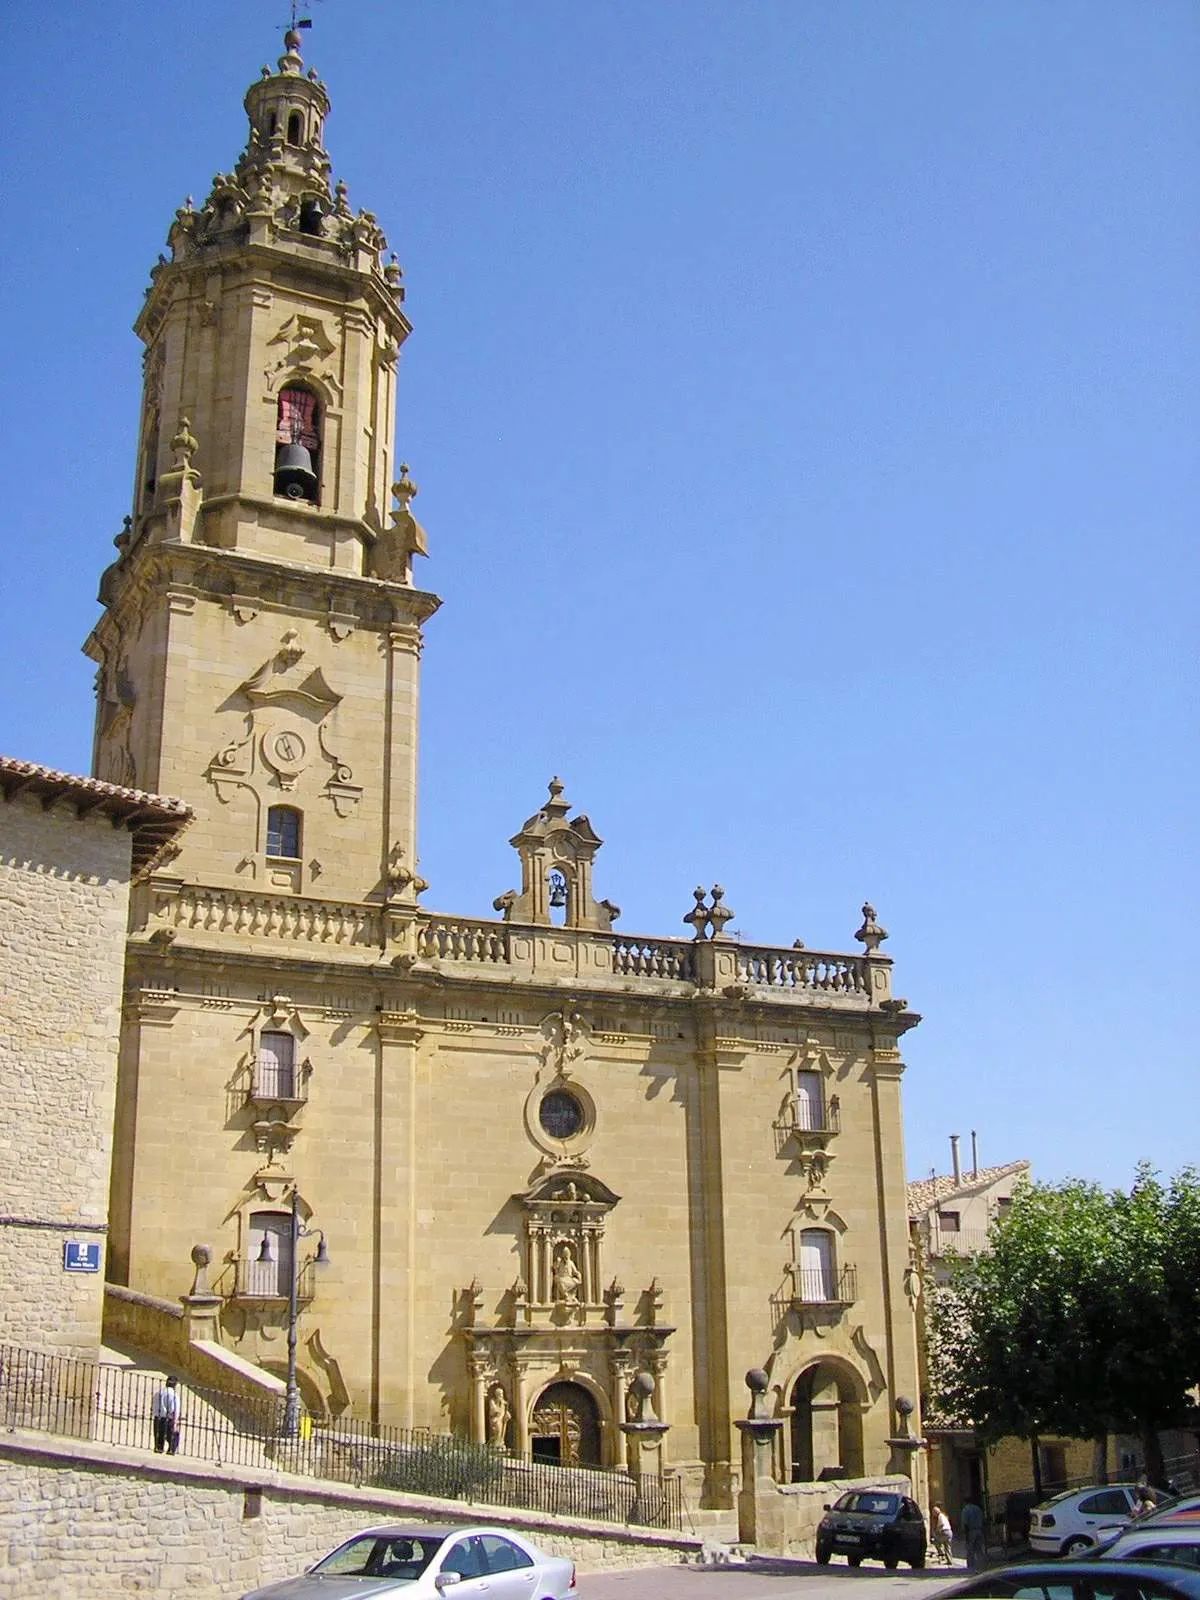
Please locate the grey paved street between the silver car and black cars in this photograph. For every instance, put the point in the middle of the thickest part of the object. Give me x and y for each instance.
(762, 1578)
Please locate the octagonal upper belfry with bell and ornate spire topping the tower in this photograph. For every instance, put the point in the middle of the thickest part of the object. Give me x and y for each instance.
(276, 327)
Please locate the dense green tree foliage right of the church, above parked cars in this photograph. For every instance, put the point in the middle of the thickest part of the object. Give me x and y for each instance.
(1082, 1318)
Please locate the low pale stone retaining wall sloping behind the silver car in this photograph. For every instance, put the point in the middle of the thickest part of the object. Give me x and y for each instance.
(113, 1524)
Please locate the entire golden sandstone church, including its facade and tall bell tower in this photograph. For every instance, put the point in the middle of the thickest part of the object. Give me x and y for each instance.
(545, 1158)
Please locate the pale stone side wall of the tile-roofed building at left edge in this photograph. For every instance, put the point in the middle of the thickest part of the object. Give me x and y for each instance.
(65, 886)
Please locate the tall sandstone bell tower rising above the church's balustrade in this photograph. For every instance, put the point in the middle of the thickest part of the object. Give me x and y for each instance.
(262, 636)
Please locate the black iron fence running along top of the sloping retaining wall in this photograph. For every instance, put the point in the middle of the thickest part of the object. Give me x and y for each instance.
(79, 1399)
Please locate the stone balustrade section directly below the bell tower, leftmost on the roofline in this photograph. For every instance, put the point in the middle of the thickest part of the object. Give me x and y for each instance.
(268, 916)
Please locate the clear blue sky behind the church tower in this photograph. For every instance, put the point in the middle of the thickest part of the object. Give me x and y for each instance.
(804, 401)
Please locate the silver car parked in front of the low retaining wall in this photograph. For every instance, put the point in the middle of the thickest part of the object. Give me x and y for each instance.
(425, 1564)
